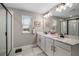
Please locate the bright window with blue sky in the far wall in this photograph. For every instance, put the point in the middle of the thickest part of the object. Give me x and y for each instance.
(26, 22)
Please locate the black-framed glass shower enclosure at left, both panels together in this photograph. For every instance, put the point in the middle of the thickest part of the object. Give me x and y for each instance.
(5, 31)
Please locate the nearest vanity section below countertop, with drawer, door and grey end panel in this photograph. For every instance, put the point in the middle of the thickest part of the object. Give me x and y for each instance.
(63, 49)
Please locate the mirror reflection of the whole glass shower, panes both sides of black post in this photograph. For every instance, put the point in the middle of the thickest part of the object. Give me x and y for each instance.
(71, 27)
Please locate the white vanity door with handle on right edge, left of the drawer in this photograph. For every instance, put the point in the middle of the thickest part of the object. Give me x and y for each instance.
(49, 47)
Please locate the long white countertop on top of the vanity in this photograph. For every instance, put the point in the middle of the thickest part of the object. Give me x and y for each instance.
(70, 41)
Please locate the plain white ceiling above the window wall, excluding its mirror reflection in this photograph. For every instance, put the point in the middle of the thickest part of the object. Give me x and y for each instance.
(34, 7)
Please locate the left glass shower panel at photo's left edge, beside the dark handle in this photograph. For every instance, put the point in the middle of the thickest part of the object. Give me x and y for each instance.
(2, 31)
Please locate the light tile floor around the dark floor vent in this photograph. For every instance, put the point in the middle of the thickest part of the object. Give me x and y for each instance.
(29, 50)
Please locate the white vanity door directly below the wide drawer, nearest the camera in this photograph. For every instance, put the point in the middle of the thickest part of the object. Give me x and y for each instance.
(61, 52)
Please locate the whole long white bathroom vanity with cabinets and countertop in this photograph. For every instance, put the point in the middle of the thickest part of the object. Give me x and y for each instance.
(53, 45)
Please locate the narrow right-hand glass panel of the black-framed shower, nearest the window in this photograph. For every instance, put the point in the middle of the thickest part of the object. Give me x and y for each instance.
(9, 33)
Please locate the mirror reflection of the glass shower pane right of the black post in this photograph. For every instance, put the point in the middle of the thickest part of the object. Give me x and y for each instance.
(73, 27)
